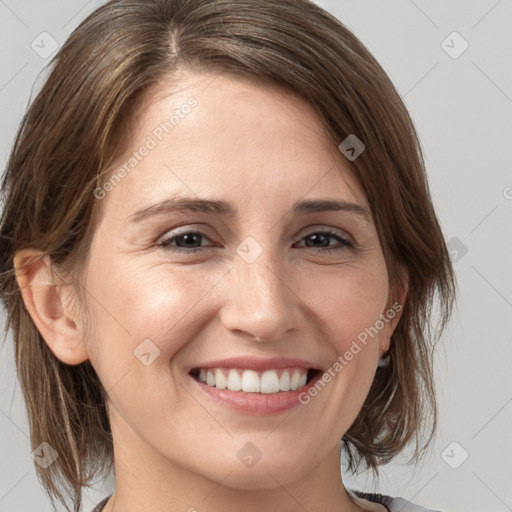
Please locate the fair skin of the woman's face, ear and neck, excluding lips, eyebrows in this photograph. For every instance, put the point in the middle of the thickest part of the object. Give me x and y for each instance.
(261, 149)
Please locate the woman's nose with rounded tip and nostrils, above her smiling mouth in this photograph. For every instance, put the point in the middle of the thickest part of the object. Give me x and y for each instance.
(260, 303)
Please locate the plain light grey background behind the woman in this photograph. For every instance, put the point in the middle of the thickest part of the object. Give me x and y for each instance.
(451, 62)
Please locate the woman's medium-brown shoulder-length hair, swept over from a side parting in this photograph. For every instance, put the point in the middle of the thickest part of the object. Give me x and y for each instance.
(72, 132)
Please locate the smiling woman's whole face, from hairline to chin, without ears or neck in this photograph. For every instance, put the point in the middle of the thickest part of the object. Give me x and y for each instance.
(256, 288)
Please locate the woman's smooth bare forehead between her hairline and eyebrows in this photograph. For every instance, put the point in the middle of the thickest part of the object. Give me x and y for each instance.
(247, 141)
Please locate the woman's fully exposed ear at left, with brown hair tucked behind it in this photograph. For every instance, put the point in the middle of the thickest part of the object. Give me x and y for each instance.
(47, 300)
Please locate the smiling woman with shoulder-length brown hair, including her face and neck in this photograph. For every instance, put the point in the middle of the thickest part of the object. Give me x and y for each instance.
(227, 375)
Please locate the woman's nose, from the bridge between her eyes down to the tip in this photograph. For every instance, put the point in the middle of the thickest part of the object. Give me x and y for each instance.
(260, 303)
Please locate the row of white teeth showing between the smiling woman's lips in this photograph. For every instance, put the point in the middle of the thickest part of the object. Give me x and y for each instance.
(250, 381)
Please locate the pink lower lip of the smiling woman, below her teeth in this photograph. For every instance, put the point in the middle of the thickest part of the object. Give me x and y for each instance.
(259, 404)
